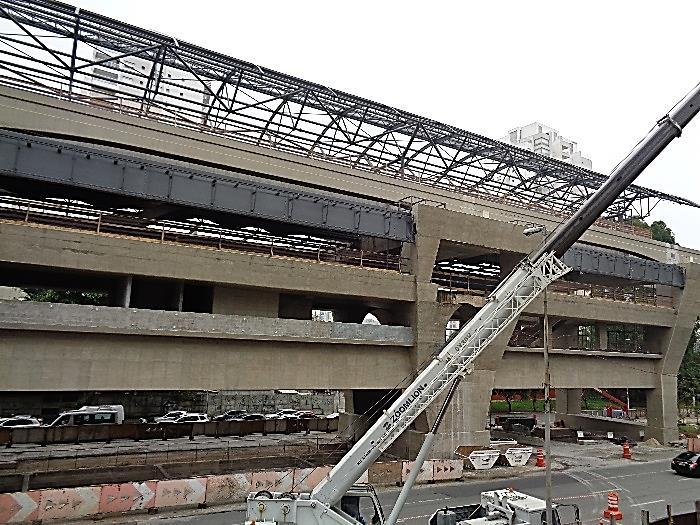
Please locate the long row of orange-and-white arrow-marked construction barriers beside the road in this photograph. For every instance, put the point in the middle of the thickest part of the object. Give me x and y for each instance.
(83, 502)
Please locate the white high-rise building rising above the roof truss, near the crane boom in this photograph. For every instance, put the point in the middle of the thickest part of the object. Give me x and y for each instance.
(548, 142)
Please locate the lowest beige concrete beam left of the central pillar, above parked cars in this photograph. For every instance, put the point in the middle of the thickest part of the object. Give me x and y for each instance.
(71, 361)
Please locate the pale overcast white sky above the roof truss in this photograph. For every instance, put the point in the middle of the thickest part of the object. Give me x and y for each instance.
(600, 72)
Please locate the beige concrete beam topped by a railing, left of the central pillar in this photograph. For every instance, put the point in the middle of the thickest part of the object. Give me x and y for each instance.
(66, 249)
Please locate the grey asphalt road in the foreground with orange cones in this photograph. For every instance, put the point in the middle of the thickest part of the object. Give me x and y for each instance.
(648, 486)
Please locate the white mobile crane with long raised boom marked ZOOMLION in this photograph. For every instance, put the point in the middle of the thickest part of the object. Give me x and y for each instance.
(336, 499)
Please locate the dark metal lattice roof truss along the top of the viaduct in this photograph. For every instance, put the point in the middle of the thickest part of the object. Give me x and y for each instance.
(52, 48)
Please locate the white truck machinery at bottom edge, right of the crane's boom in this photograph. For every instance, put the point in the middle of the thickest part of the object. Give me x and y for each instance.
(506, 507)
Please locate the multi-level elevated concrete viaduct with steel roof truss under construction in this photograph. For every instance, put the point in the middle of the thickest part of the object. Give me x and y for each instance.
(193, 297)
